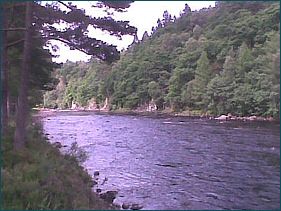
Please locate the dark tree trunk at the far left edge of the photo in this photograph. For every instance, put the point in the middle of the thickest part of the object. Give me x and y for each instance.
(4, 70)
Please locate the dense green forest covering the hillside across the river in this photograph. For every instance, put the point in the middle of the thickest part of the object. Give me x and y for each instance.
(214, 61)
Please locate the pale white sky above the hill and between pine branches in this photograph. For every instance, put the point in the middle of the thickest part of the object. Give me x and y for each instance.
(141, 14)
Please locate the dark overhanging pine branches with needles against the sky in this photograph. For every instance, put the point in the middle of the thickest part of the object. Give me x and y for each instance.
(75, 34)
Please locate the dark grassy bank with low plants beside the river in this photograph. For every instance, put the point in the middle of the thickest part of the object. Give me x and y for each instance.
(40, 178)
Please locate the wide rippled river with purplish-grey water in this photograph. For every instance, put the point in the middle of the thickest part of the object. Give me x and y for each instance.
(176, 163)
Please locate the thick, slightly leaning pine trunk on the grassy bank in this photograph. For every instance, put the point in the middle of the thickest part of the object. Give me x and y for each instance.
(20, 137)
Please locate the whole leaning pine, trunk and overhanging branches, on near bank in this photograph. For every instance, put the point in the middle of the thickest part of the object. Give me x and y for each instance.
(40, 18)
